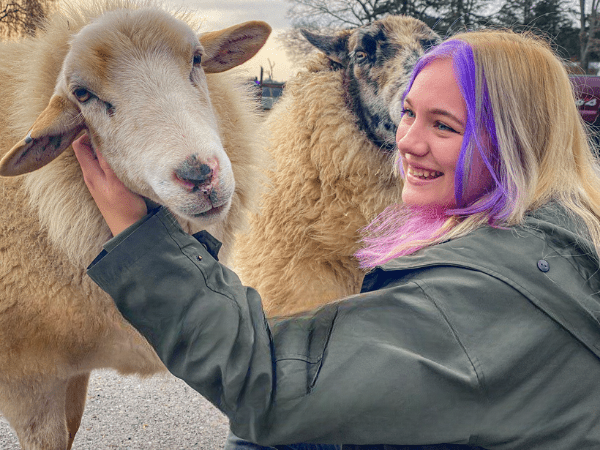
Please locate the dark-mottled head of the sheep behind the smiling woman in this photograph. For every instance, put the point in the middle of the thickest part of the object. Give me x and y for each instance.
(377, 60)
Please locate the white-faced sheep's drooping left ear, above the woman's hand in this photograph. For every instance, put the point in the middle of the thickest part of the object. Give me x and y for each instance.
(53, 131)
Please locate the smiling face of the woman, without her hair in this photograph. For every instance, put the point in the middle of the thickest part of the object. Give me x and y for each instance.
(430, 136)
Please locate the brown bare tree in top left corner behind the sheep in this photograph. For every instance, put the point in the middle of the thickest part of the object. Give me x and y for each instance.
(21, 17)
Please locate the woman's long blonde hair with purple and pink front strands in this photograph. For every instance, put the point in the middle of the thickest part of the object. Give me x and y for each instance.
(539, 151)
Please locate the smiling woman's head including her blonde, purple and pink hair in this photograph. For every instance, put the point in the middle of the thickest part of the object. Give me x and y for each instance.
(467, 152)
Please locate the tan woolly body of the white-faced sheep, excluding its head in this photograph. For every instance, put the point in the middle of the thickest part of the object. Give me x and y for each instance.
(56, 325)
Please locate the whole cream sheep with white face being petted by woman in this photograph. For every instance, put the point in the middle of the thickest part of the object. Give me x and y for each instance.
(150, 95)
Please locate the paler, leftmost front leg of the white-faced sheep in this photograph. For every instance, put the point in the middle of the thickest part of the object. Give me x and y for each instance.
(37, 413)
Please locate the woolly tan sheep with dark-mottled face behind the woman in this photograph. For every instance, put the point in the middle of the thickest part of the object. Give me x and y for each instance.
(333, 140)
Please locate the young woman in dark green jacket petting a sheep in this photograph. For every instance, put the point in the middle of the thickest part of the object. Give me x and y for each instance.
(479, 324)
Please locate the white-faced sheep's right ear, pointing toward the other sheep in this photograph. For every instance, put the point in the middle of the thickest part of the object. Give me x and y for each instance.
(233, 46)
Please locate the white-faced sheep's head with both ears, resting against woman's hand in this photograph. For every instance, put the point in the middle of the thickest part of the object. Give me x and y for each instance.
(135, 80)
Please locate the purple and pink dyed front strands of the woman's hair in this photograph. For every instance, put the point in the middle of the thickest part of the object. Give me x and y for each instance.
(401, 229)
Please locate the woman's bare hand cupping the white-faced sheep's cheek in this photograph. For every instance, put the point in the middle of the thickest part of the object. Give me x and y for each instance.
(119, 206)
